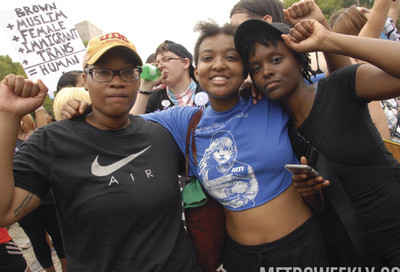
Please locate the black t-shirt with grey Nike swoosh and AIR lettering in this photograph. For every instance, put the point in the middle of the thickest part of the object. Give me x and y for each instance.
(116, 193)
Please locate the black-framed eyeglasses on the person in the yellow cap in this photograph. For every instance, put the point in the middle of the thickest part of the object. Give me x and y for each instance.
(102, 75)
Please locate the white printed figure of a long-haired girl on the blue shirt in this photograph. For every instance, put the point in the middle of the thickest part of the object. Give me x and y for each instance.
(231, 182)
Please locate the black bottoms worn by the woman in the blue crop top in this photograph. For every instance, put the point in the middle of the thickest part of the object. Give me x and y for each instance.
(303, 247)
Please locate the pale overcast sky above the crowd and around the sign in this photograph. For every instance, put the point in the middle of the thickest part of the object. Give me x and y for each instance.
(146, 23)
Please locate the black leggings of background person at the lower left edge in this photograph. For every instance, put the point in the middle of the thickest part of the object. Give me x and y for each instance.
(35, 225)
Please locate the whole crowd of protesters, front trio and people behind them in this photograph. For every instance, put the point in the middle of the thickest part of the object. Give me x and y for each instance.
(112, 159)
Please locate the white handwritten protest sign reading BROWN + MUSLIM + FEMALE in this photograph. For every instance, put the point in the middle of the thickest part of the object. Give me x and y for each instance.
(46, 42)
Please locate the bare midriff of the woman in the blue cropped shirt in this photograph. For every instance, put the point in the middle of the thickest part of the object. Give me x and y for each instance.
(268, 222)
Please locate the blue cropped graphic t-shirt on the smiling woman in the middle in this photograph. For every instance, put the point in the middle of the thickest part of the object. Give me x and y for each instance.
(241, 152)
